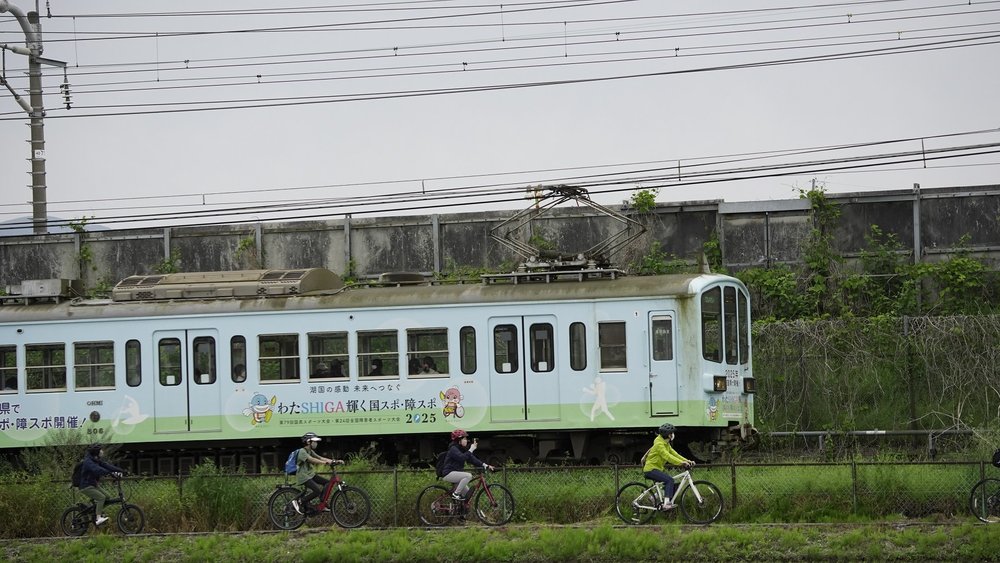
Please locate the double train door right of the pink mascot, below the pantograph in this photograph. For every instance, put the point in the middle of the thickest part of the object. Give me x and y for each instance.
(524, 379)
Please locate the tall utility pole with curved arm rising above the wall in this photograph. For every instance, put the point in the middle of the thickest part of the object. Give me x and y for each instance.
(32, 28)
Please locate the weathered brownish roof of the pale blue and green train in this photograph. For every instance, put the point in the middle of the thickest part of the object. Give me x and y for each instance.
(331, 294)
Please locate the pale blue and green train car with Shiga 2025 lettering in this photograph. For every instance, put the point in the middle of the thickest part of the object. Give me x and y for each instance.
(234, 366)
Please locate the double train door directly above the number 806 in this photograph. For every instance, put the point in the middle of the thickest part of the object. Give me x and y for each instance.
(187, 395)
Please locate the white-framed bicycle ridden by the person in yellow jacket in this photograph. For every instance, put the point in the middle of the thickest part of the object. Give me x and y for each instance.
(699, 501)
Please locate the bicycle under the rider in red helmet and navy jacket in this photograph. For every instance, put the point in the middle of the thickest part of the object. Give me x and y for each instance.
(493, 502)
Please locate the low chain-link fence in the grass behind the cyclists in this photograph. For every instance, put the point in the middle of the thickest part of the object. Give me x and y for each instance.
(800, 492)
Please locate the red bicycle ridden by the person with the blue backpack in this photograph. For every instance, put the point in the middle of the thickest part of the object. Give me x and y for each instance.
(350, 506)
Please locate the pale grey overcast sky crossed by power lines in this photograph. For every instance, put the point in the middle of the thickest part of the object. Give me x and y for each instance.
(187, 112)
